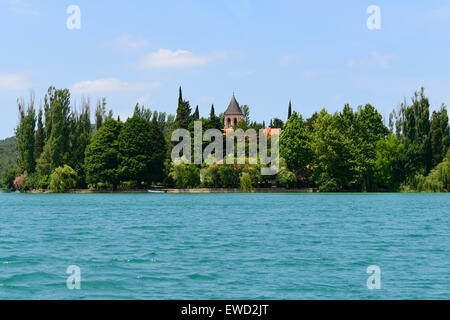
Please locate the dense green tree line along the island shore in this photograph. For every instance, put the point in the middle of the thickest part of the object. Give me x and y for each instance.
(58, 148)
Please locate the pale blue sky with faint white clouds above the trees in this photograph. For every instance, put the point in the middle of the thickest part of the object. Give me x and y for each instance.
(319, 54)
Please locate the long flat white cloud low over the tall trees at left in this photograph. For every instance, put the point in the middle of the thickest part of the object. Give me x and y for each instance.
(111, 84)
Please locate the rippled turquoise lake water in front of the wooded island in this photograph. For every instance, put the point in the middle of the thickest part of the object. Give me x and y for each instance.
(217, 246)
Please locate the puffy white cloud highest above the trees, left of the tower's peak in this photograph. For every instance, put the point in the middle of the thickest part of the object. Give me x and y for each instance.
(164, 58)
